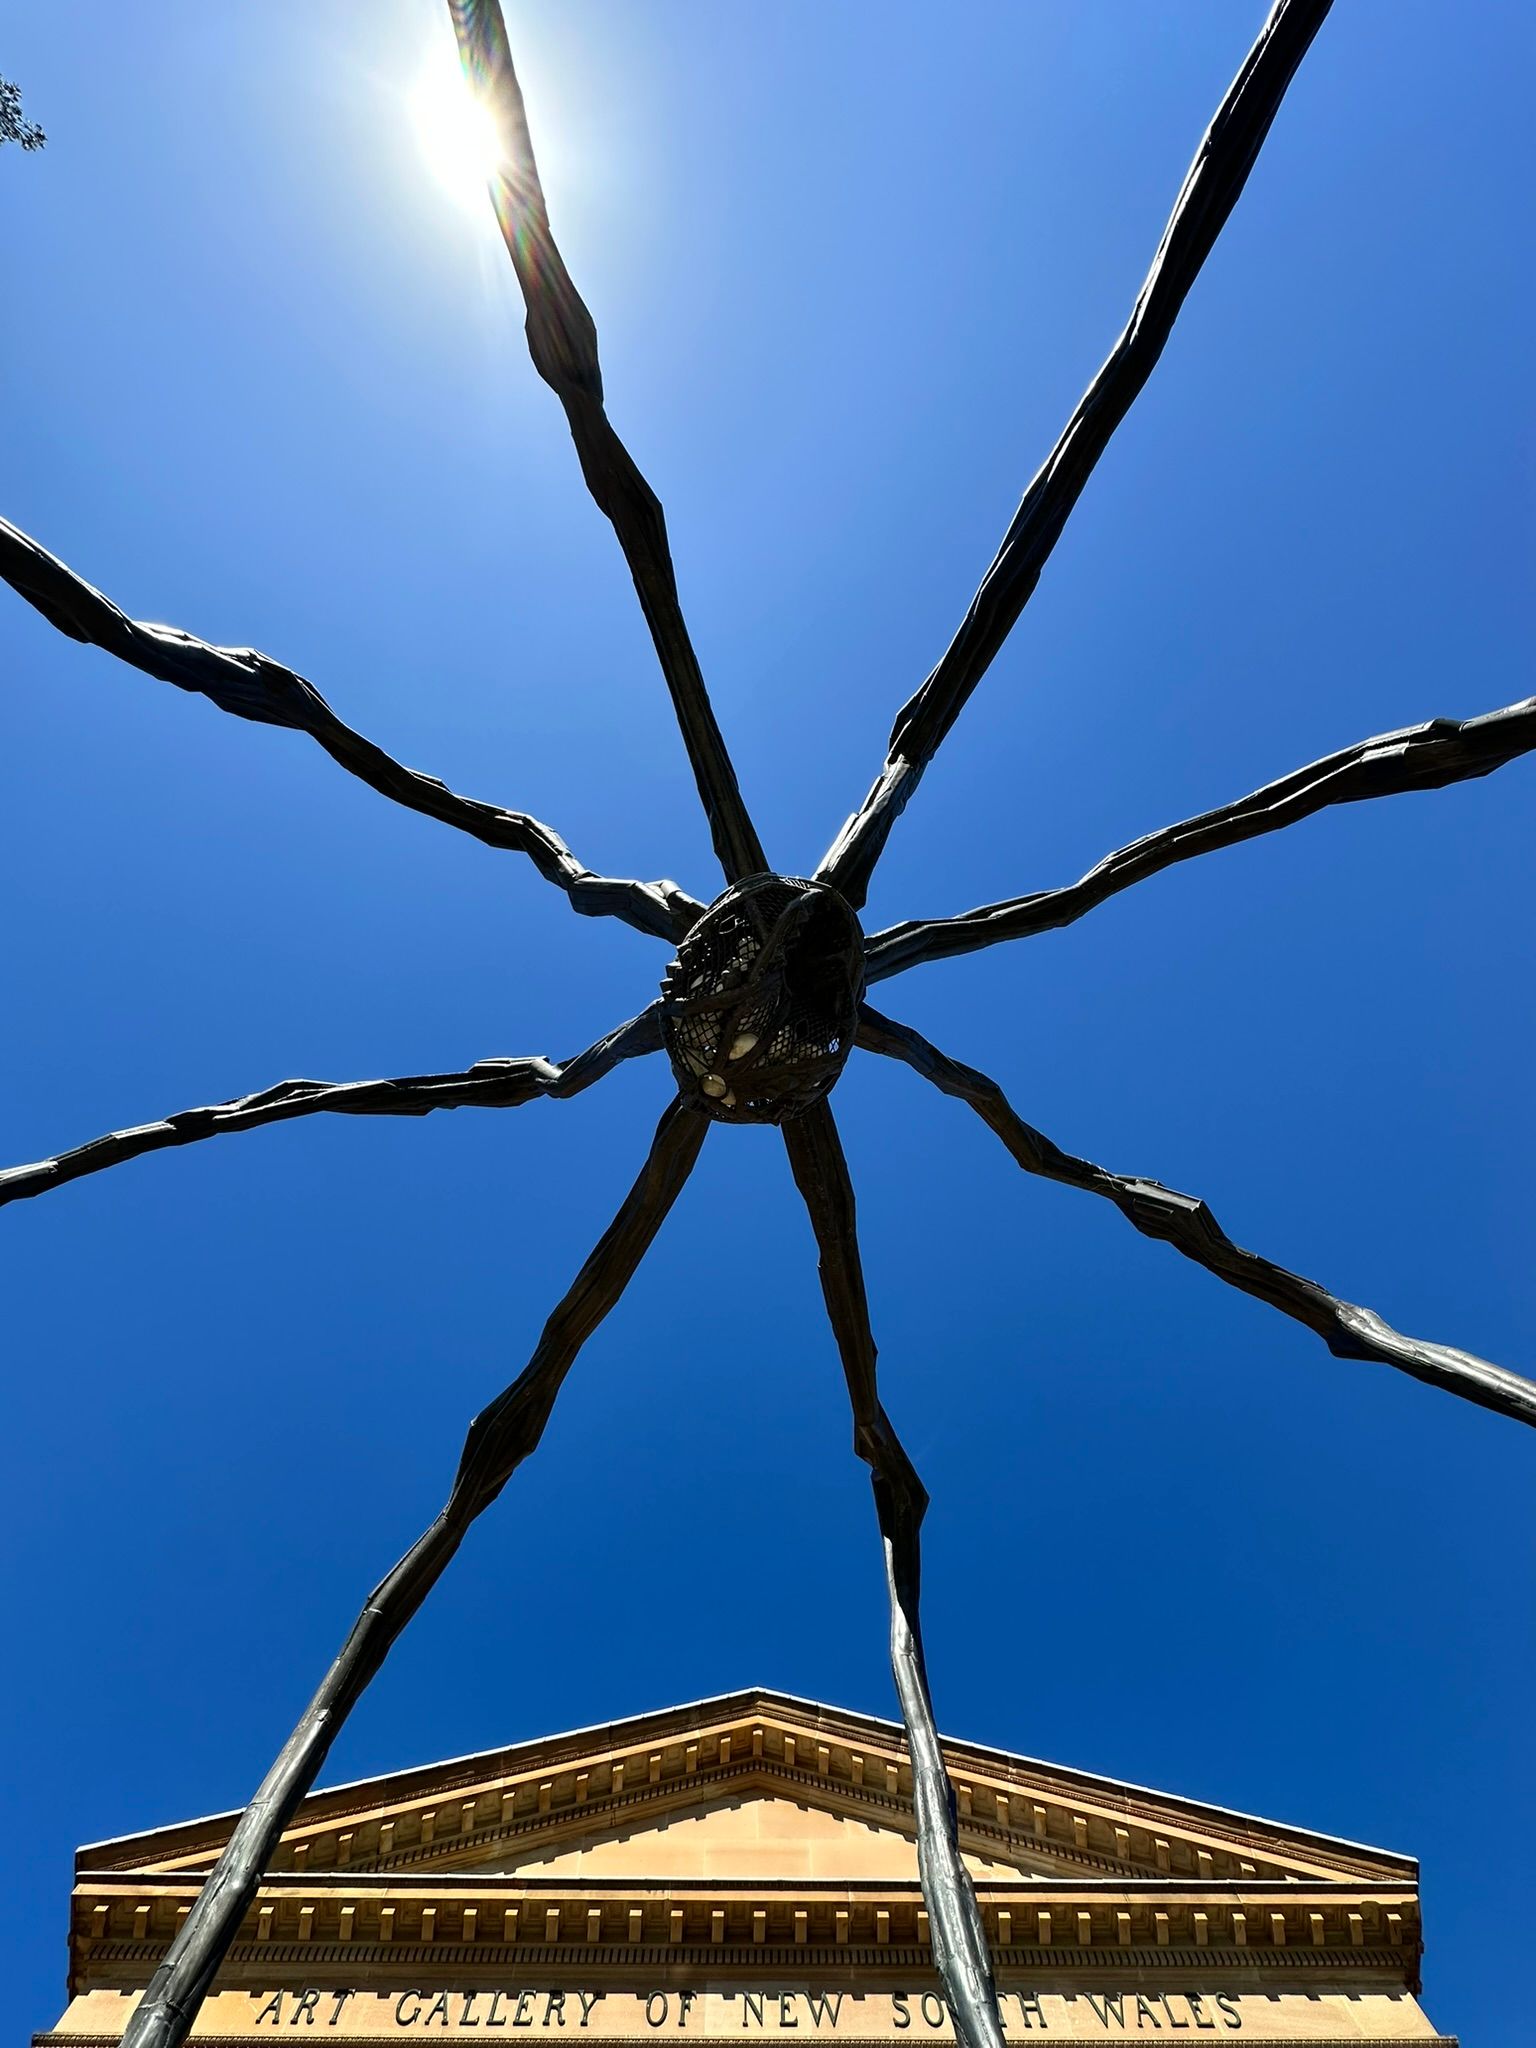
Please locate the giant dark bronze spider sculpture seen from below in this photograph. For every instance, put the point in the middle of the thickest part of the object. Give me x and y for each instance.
(765, 998)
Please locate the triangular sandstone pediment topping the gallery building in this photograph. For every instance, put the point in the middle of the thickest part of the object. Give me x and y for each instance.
(757, 1768)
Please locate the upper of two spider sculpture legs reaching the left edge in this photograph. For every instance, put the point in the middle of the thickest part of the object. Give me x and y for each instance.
(251, 685)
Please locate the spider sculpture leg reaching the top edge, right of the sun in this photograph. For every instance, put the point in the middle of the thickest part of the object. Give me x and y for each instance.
(1207, 198)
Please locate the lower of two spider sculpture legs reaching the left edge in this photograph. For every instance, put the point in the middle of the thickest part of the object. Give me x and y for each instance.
(490, 1084)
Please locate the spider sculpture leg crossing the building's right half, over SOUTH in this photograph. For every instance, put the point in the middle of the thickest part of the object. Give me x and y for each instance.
(900, 1502)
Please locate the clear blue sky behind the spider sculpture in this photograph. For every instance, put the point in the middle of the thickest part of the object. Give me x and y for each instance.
(851, 269)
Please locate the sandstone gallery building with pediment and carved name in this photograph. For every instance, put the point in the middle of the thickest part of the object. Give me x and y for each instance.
(744, 1869)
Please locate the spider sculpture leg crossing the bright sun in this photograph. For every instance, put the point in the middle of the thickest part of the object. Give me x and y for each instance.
(564, 347)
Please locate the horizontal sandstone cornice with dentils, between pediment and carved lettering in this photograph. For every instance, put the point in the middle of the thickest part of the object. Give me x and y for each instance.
(124, 1922)
